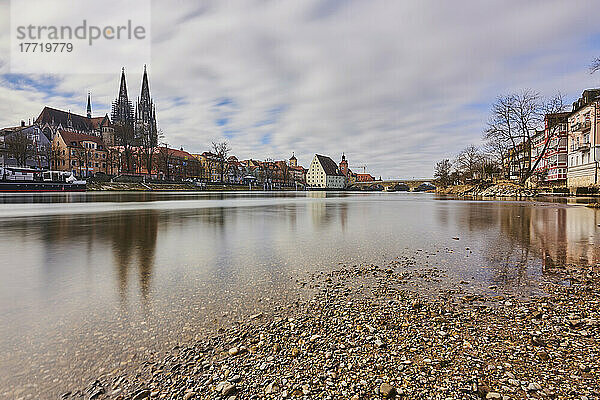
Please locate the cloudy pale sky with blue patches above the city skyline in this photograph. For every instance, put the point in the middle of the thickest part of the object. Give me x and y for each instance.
(395, 85)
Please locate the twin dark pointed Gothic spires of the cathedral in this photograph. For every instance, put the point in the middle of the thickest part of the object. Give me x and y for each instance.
(143, 120)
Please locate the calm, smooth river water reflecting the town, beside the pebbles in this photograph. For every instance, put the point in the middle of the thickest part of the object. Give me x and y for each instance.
(87, 281)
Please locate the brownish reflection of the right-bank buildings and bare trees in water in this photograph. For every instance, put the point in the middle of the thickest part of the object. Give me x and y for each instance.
(518, 236)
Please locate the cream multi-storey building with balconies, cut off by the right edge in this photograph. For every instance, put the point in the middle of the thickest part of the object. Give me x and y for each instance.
(583, 141)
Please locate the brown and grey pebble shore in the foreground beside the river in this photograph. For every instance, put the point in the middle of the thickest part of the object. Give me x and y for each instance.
(365, 334)
